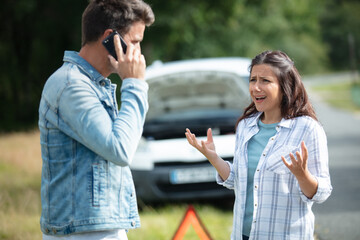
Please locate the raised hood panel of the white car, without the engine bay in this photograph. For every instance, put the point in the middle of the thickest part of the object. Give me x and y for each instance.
(182, 87)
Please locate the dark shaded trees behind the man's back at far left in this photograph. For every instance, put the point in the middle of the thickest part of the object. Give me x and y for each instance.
(34, 36)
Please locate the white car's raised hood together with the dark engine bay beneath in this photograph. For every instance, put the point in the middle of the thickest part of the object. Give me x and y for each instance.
(195, 94)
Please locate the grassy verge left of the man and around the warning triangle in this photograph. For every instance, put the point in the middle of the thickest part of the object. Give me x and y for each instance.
(20, 206)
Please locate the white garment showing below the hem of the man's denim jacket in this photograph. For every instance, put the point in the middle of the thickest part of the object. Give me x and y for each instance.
(103, 235)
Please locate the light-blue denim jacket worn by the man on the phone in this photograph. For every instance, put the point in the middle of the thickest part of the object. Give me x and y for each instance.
(87, 145)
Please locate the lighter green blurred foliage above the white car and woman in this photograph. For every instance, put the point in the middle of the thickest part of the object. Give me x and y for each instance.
(196, 29)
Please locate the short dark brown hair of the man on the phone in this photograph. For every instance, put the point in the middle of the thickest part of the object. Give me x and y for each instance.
(119, 15)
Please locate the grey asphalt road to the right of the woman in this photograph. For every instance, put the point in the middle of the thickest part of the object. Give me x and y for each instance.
(339, 216)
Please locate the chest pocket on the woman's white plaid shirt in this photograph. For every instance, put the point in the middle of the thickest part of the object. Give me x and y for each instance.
(274, 162)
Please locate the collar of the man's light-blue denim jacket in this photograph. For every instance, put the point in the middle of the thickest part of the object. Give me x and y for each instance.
(90, 71)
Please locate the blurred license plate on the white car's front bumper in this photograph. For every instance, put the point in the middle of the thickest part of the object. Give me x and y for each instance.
(192, 175)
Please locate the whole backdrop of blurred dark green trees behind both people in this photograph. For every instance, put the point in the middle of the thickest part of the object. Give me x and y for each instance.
(319, 35)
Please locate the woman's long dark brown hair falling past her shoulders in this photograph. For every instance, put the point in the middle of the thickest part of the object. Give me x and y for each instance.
(295, 101)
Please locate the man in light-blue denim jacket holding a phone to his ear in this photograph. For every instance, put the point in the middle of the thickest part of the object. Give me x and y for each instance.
(87, 144)
